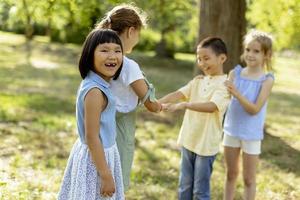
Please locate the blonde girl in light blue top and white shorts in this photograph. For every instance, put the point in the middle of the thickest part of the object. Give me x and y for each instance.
(250, 88)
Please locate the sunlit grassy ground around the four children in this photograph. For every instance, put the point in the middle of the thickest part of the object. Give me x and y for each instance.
(37, 126)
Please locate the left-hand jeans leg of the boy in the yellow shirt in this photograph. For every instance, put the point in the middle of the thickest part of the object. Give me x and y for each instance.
(186, 177)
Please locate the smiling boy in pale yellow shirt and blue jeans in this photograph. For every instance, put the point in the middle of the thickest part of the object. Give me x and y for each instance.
(205, 100)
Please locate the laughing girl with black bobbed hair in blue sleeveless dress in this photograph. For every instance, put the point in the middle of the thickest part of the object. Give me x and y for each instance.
(94, 171)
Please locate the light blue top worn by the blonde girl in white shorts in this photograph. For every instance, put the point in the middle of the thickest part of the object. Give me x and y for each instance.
(238, 122)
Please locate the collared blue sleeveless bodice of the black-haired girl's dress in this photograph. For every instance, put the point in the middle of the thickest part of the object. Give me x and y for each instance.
(107, 132)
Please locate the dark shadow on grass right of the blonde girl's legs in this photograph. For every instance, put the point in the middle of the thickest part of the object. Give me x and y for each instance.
(281, 154)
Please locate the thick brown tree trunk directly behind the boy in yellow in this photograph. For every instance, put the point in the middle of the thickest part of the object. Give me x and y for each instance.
(224, 19)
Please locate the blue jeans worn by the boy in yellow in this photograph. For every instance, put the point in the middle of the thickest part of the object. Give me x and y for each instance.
(195, 173)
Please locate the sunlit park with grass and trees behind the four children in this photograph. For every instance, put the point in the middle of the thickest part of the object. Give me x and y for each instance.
(40, 42)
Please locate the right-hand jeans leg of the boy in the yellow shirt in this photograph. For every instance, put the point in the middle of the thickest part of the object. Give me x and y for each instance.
(202, 174)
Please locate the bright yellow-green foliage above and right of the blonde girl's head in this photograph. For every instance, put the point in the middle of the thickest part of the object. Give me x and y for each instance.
(280, 18)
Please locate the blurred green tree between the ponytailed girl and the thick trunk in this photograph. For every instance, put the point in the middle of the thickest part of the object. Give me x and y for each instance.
(171, 18)
